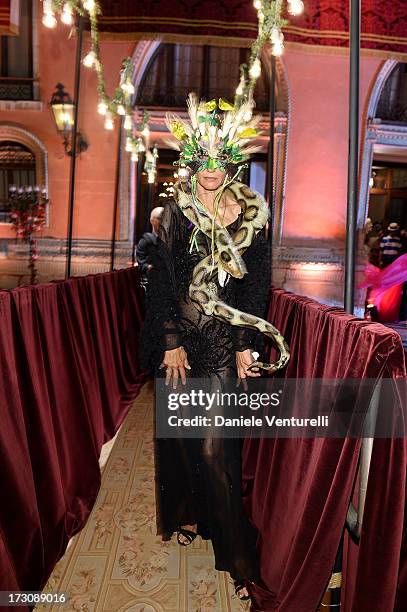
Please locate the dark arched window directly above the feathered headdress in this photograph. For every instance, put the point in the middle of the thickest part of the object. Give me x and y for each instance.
(211, 72)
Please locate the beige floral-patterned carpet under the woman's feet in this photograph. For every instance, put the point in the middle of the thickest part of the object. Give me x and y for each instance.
(117, 563)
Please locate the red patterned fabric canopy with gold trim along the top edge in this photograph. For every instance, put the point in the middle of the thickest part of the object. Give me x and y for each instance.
(228, 22)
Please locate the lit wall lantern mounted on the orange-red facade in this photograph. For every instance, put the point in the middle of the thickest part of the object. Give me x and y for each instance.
(63, 109)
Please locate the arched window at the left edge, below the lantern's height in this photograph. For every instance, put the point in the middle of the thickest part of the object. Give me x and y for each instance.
(17, 167)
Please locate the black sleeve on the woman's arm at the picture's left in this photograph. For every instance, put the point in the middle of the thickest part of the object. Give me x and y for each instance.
(161, 331)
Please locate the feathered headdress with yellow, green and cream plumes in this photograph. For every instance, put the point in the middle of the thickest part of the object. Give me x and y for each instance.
(217, 135)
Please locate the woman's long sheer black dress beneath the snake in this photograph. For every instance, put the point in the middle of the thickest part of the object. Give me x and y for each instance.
(199, 480)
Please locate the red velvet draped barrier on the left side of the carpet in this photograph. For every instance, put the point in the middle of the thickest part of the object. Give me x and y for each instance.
(68, 356)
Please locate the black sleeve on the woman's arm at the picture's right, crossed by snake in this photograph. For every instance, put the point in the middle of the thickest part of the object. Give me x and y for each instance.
(252, 292)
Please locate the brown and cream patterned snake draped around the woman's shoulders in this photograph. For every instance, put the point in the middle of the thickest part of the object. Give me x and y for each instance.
(227, 259)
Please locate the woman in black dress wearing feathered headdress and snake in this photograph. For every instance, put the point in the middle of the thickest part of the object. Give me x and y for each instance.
(198, 481)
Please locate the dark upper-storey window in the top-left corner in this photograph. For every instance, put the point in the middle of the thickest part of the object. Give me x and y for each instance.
(16, 59)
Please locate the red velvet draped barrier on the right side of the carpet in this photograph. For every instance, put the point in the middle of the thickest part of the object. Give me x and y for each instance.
(298, 490)
